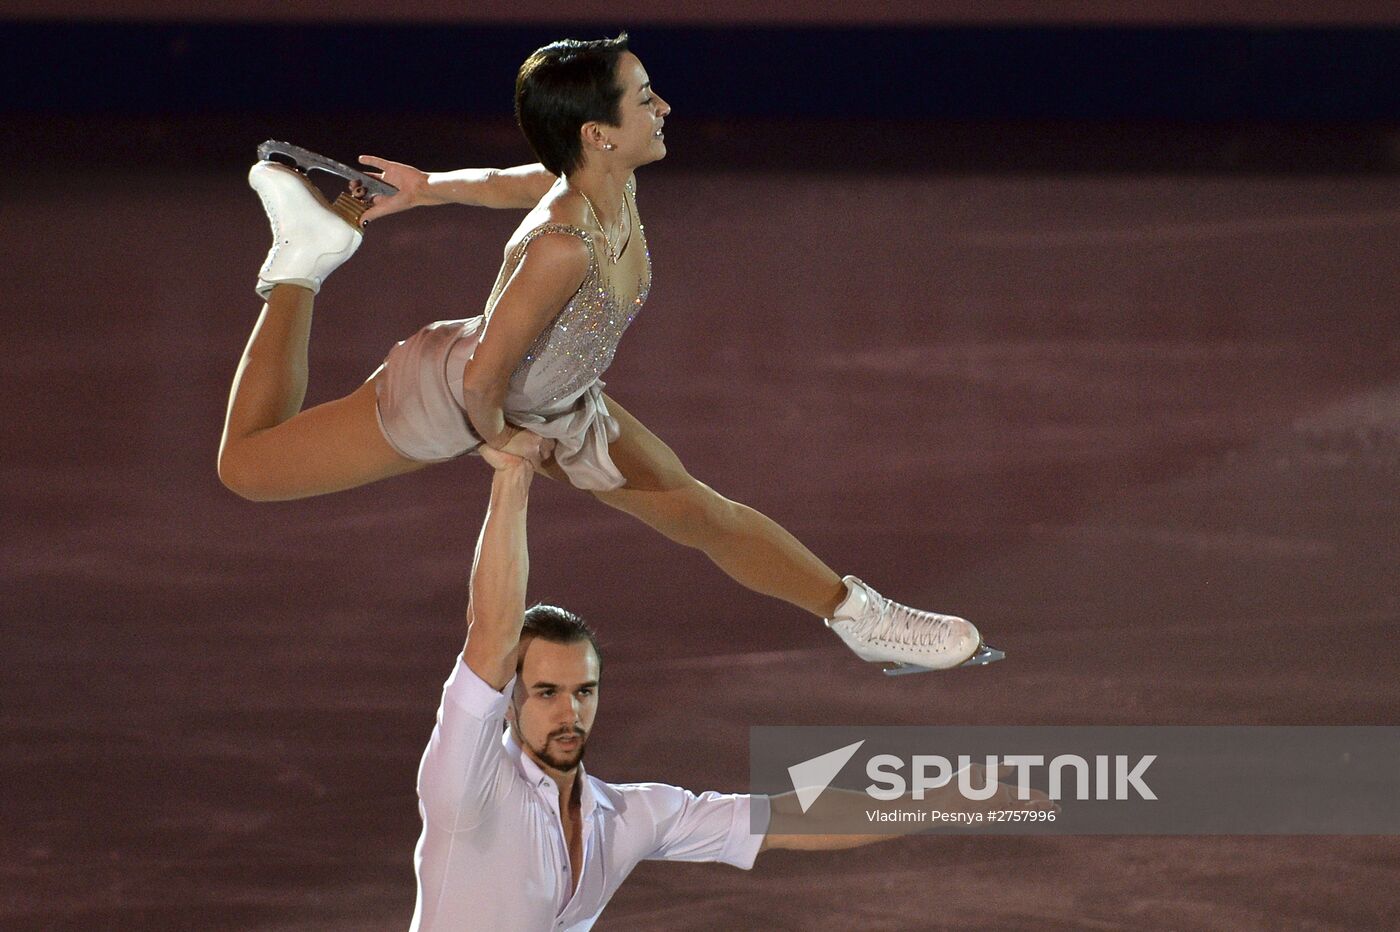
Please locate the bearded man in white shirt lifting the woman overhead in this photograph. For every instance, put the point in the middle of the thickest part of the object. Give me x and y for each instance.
(516, 836)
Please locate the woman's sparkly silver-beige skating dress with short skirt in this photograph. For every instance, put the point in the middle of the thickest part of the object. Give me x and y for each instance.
(555, 390)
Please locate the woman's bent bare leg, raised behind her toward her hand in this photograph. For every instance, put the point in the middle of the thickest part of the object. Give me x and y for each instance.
(275, 451)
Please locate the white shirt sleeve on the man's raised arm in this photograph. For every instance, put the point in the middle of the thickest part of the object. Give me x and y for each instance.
(460, 770)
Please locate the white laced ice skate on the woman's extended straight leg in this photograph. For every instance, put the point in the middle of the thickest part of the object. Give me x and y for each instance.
(884, 632)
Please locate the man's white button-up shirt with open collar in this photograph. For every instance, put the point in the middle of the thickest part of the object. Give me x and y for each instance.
(493, 853)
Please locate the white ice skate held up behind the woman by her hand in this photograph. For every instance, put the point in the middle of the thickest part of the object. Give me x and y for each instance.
(310, 236)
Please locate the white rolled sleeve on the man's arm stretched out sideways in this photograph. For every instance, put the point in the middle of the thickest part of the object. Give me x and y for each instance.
(708, 828)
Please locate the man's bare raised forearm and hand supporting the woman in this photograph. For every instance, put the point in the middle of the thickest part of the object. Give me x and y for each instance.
(500, 572)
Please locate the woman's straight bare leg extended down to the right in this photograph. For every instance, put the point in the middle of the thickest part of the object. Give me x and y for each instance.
(751, 548)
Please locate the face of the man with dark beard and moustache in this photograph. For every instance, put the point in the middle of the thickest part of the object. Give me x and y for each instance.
(555, 702)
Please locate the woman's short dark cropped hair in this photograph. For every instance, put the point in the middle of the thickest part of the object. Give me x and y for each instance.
(562, 87)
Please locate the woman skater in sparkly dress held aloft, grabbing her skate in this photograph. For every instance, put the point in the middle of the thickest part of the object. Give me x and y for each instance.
(576, 274)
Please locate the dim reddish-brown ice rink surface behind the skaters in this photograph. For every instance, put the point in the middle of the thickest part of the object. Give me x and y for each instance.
(1143, 429)
